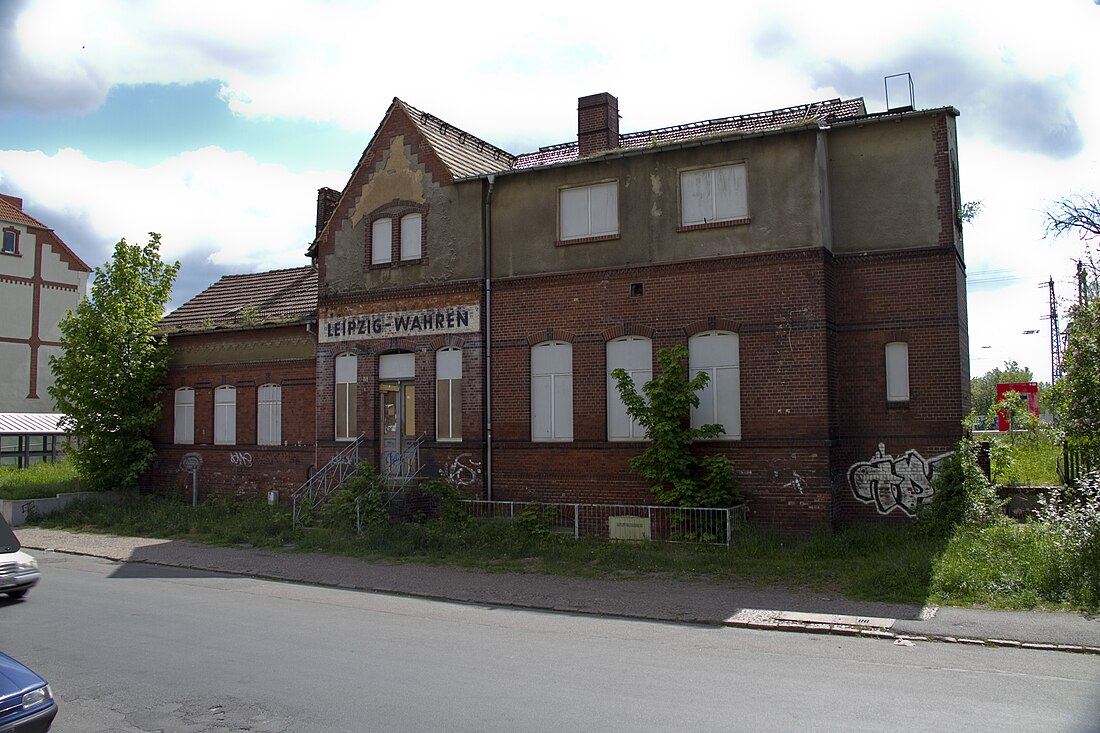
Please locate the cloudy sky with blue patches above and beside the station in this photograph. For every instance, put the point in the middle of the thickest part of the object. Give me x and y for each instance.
(215, 124)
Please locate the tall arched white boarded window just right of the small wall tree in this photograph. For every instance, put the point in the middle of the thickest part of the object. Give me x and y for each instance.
(718, 355)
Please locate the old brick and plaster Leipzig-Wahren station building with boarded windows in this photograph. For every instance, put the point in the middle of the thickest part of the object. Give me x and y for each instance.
(810, 258)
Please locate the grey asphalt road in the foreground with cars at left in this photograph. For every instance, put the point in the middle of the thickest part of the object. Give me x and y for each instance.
(138, 648)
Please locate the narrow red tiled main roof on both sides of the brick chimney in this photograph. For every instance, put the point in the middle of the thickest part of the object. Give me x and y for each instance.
(823, 112)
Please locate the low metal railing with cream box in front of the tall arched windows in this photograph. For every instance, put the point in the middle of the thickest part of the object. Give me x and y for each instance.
(631, 522)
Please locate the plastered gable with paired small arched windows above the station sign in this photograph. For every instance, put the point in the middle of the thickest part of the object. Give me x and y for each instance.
(410, 214)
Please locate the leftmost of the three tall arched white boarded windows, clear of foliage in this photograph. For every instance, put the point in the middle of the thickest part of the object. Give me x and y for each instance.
(553, 391)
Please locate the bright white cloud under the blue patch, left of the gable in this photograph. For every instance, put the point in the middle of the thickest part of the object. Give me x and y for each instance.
(210, 204)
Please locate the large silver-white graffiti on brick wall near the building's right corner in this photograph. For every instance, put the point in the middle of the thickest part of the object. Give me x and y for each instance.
(892, 484)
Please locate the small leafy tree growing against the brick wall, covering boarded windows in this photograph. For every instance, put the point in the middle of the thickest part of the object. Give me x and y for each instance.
(676, 476)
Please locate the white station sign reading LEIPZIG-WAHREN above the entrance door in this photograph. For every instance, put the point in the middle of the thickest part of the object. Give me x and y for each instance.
(457, 320)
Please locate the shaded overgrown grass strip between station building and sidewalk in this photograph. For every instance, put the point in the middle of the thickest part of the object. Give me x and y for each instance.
(870, 562)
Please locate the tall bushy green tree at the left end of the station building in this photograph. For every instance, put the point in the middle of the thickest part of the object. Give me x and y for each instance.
(109, 378)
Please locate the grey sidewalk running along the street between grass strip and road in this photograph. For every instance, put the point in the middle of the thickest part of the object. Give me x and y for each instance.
(651, 599)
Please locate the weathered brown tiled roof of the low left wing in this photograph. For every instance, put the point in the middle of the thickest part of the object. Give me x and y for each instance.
(238, 301)
